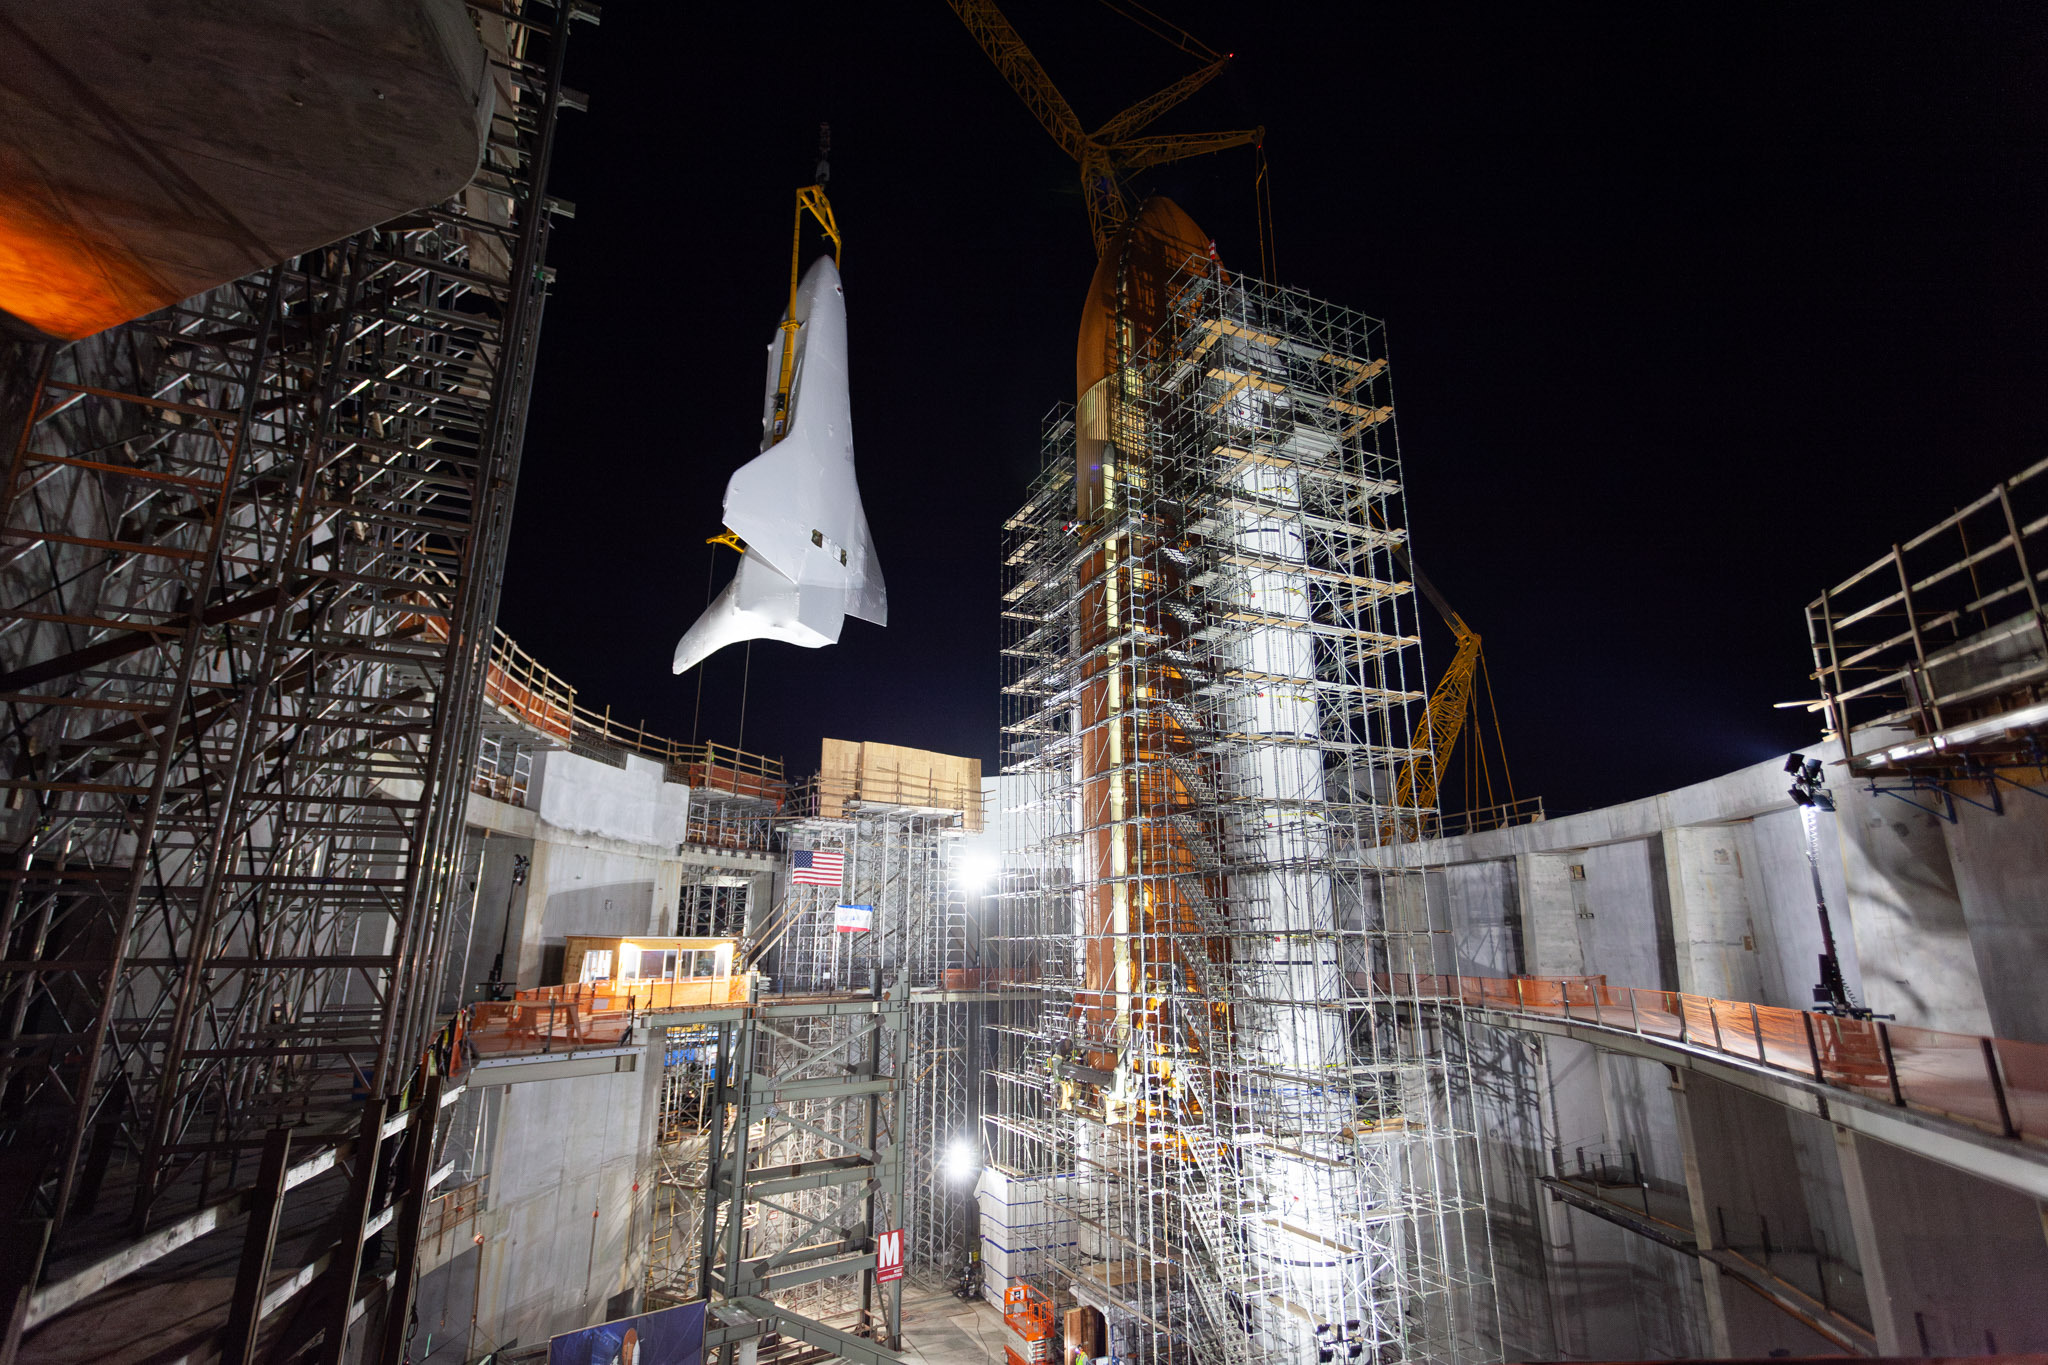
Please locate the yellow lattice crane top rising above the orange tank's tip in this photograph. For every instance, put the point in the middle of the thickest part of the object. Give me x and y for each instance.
(1117, 148)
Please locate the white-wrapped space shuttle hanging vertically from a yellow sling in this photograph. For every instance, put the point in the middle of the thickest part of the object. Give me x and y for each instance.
(810, 562)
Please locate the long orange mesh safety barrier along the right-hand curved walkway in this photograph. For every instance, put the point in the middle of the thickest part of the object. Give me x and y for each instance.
(1990, 1084)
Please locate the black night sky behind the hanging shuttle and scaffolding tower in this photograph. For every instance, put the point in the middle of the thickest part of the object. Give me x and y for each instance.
(1693, 310)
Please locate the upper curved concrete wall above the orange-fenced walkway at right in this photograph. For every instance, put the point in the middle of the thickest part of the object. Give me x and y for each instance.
(1707, 889)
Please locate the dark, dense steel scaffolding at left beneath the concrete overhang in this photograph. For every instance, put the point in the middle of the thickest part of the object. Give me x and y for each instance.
(249, 564)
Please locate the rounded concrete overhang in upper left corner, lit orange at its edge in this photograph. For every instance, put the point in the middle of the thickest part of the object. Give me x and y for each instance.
(151, 152)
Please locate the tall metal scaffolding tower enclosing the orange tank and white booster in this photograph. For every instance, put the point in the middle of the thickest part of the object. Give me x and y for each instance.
(1254, 1147)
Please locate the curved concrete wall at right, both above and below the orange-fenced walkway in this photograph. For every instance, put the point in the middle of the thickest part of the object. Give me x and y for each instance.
(1707, 889)
